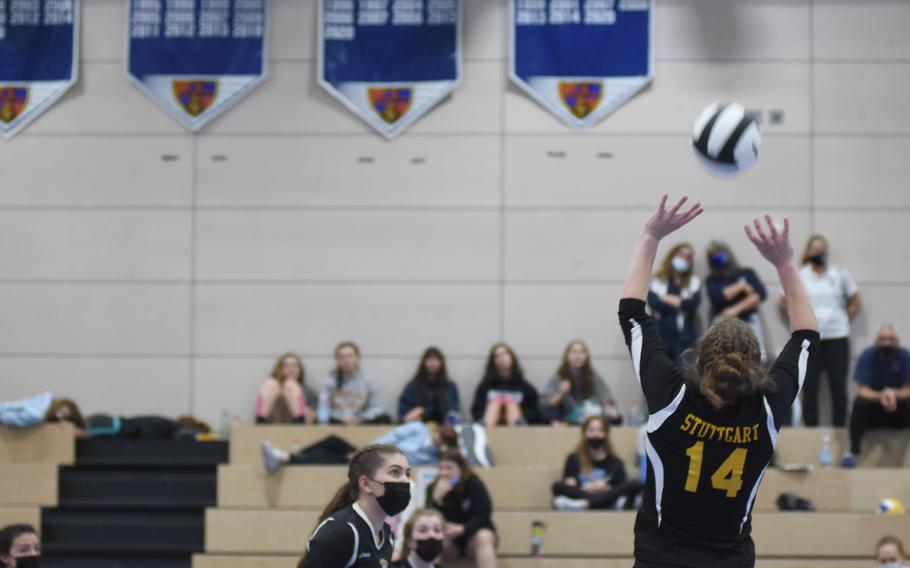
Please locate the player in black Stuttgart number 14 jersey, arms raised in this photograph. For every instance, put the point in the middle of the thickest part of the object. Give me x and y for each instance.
(712, 428)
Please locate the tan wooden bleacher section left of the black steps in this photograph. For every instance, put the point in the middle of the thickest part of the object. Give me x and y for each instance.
(29, 463)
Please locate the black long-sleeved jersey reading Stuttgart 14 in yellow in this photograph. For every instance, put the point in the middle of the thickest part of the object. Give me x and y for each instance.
(704, 465)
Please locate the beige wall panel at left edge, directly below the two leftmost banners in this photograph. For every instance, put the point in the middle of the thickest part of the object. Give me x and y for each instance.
(86, 171)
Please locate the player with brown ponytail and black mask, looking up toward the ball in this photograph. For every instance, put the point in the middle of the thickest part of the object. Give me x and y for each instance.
(352, 531)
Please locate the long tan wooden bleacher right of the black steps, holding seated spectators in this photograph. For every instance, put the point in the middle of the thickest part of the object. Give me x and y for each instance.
(284, 508)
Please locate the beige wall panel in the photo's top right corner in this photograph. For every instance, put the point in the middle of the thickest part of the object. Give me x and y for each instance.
(872, 29)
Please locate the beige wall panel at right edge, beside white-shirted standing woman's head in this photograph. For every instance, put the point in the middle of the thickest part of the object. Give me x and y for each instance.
(876, 252)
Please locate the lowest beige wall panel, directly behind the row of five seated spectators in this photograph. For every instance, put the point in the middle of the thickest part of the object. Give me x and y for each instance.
(237, 380)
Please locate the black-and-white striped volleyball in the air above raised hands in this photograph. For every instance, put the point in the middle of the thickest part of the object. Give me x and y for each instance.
(726, 138)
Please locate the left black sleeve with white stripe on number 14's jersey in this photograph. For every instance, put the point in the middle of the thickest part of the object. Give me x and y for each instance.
(658, 376)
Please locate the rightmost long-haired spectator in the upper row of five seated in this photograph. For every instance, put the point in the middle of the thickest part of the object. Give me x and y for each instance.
(577, 390)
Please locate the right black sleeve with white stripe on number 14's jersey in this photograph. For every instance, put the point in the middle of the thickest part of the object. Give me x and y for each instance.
(789, 371)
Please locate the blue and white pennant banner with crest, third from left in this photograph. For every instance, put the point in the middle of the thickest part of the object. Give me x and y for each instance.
(389, 61)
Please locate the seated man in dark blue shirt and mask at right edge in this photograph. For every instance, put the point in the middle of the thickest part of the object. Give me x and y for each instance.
(883, 396)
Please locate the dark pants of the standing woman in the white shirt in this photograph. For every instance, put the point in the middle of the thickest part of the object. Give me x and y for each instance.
(833, 358)
